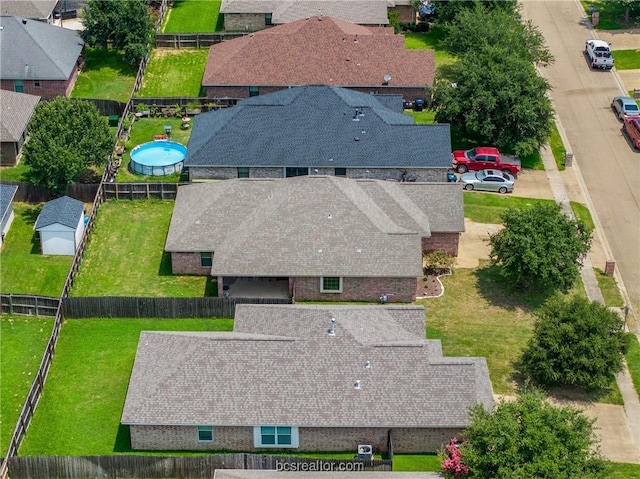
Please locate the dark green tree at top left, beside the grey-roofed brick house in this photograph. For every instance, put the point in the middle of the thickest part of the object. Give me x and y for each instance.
(126, 24)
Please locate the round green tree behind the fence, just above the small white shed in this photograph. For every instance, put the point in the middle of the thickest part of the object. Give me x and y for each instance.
(66, 136)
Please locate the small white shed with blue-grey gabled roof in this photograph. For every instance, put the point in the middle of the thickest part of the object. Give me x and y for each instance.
(60, 226)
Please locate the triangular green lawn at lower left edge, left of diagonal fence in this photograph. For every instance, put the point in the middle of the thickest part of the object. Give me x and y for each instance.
(22, 343)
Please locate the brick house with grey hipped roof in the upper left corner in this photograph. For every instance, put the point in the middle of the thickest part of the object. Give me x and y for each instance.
(38, 58)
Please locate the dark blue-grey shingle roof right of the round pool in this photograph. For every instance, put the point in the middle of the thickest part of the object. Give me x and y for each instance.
(313, 126)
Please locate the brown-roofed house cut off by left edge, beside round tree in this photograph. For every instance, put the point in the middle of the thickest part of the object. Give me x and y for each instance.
(15, 112)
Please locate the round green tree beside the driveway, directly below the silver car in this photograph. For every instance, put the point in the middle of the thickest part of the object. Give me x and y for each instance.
(540, 247)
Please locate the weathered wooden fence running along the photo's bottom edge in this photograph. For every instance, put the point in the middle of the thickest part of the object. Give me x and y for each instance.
(174, 467)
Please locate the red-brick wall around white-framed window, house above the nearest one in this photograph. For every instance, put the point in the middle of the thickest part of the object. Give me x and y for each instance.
(402, 290)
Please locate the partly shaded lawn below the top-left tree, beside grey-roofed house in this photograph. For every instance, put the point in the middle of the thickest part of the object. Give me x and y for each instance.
(105, 75)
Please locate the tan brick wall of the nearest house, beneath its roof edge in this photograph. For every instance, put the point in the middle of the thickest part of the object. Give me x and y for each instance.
(405, 440)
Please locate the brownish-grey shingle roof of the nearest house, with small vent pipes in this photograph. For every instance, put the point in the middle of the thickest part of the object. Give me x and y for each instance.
(246, 379)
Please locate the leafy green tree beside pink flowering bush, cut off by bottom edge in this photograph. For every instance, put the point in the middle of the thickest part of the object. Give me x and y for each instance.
(529, 438)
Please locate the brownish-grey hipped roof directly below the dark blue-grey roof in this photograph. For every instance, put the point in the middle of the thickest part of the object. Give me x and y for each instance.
(309, 226)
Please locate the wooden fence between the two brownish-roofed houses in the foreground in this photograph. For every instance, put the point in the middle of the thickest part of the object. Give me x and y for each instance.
(126, 307)
